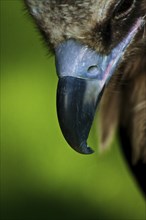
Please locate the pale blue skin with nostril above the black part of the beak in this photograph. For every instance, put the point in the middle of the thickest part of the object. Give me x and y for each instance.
(75, 59)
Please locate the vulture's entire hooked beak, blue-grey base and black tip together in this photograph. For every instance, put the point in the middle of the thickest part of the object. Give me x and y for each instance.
(83, 75)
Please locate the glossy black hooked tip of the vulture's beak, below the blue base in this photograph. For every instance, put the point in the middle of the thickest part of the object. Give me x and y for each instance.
(76, 105)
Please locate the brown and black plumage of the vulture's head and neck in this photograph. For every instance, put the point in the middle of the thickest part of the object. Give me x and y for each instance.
(102, 25)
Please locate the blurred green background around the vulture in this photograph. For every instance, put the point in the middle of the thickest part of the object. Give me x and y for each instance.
(41, 176)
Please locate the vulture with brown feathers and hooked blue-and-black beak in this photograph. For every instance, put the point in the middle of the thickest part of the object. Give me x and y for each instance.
(100, 57)
